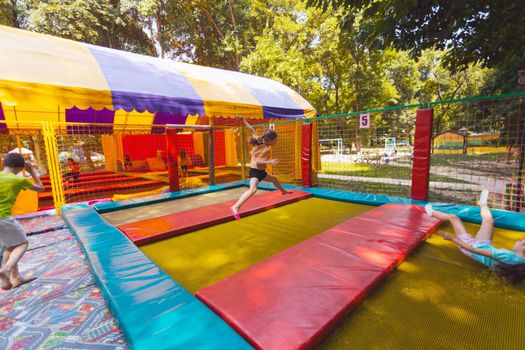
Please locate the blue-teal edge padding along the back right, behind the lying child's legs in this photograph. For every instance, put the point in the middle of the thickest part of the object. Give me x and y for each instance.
(503, 219)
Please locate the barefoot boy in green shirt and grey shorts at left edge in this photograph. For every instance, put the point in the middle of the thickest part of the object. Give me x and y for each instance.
(12, 235)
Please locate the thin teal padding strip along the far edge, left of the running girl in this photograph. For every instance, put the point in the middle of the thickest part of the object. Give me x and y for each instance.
(163, 197)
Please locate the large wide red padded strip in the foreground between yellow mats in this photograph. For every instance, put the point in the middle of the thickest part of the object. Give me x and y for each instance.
(296, 298)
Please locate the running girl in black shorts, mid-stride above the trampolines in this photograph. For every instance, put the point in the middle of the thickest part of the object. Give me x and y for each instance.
(260, 159)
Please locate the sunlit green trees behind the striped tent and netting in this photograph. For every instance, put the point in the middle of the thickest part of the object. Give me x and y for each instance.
(336, 58)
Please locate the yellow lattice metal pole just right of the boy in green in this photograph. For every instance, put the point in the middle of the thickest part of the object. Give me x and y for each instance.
(53, 163)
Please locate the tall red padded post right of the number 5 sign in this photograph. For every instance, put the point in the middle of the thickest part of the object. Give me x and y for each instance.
(421, 163)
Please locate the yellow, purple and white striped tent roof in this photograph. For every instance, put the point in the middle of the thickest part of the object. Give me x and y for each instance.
(44, 78)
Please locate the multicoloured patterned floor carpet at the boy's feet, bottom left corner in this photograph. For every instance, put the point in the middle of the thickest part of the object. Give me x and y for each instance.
(62, 309)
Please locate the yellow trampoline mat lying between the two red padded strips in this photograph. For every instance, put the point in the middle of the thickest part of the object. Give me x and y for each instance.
(204, 257)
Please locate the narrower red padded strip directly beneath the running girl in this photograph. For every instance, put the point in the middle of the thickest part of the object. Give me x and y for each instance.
(156, 229)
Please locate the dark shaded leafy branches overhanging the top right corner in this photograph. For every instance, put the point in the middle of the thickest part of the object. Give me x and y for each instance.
(487, 32)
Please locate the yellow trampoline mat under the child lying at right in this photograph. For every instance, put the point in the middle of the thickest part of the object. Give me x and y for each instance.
(439, 299)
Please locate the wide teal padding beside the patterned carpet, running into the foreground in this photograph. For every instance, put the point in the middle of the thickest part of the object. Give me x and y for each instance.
(153, 310)
